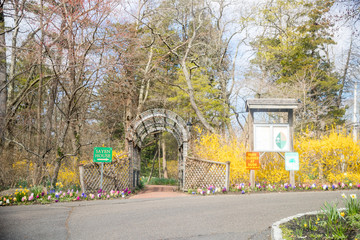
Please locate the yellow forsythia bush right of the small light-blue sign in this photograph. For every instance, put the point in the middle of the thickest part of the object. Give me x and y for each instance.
(333, 157)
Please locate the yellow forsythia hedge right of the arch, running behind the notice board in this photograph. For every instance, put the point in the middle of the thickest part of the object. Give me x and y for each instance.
(331, 158)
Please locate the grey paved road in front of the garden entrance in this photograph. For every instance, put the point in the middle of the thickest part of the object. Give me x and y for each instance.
(192, 217)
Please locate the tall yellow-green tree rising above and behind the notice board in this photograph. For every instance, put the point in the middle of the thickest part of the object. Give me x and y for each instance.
(292, 53)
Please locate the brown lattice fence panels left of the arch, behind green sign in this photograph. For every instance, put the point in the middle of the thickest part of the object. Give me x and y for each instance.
(115, 177)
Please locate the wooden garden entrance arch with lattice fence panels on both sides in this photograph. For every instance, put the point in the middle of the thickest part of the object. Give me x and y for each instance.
(124, 171)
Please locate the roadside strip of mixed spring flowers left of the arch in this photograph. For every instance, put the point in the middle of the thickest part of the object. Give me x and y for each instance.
(39, 194)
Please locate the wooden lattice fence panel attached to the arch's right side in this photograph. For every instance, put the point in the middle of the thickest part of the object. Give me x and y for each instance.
(203, 173)
